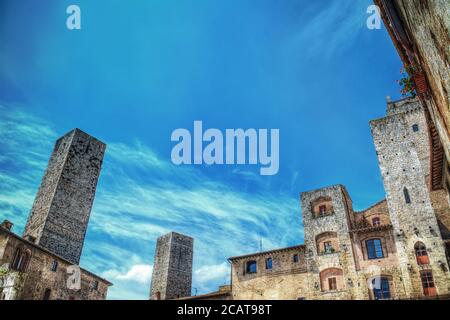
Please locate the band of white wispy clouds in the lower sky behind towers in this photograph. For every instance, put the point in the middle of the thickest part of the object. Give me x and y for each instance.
(142, 195)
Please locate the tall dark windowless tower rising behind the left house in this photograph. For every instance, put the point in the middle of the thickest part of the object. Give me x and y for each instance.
(61, 209)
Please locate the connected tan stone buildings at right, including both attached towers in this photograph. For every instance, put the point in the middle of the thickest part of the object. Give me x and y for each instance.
(396, 249)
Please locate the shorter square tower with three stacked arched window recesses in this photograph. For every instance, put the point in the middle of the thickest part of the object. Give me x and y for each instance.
(326, 213)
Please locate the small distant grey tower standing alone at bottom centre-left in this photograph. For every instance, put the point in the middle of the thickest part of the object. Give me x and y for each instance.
(172, 268)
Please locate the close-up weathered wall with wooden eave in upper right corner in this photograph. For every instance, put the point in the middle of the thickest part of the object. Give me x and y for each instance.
(420, 31)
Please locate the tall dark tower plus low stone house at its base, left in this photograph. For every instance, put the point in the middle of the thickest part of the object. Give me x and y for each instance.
(43, 264)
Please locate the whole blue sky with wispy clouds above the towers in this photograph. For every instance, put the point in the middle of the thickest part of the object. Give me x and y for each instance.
(138, 70)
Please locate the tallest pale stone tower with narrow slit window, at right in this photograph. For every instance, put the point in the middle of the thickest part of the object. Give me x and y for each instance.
(402, 143)
